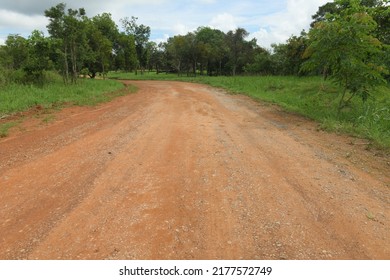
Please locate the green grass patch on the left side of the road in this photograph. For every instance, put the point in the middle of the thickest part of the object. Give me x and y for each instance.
(16, 98)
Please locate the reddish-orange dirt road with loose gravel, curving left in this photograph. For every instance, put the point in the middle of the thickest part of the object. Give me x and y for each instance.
(185, 171)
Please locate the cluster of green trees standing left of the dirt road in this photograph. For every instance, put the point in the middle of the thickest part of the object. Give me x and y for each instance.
(78, 45)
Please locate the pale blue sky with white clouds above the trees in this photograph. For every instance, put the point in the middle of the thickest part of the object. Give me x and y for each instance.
(270, 21)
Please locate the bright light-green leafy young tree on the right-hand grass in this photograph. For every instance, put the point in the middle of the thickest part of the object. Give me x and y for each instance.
(345, 46)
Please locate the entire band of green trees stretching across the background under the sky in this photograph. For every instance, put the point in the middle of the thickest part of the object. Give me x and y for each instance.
(345, 36)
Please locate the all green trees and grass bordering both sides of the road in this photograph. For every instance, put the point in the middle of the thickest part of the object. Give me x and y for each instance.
(336, 73)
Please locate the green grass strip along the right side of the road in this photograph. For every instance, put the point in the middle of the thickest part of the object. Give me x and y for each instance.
(308, 96)
